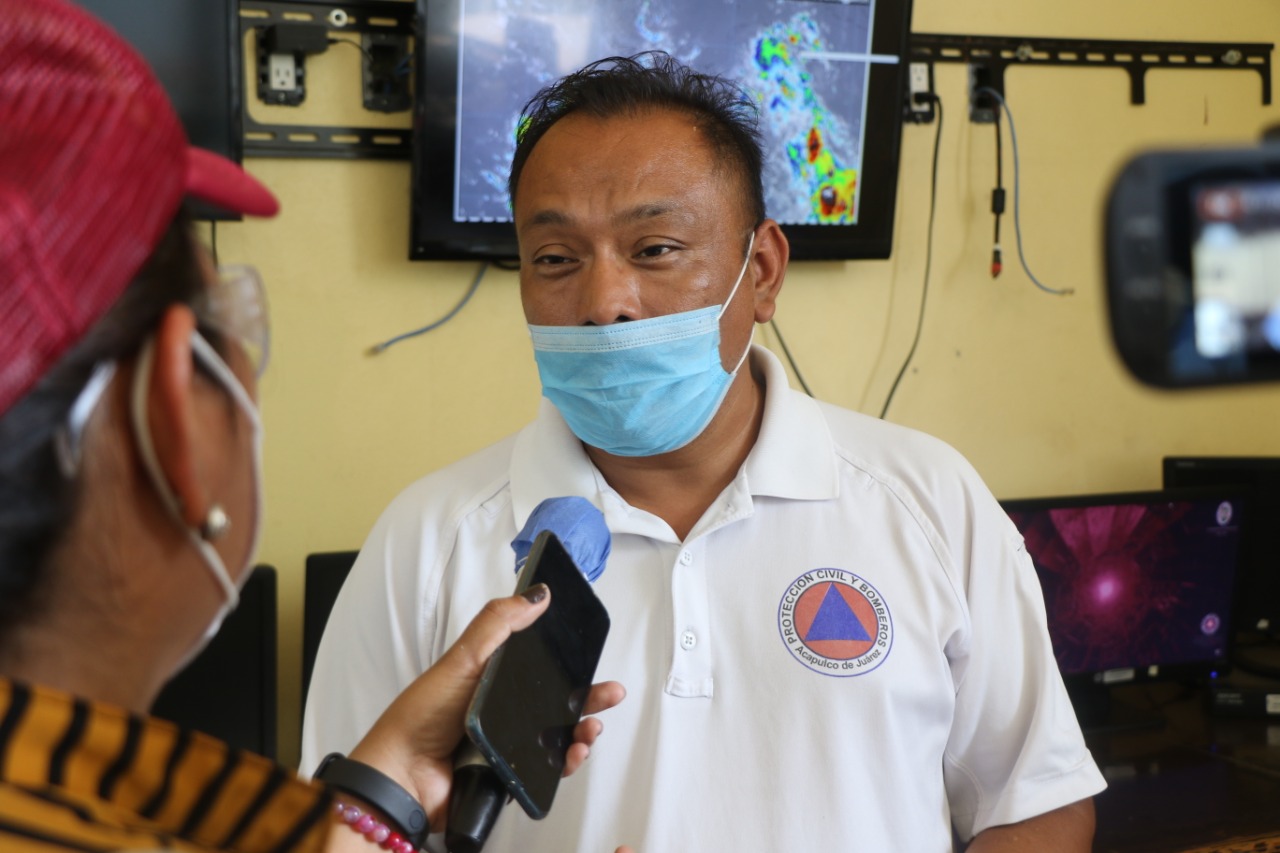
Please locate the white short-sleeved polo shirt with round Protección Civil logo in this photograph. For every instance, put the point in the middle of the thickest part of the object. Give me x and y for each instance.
(848, 653)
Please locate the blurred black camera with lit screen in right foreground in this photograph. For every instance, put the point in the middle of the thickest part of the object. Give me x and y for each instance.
(1194, 266)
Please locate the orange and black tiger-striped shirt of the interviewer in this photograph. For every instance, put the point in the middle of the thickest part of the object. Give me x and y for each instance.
(77, 776)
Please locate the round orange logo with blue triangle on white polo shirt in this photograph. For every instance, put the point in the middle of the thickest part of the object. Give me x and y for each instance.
(835, 623)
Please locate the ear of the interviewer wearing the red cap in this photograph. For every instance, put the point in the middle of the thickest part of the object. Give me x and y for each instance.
(172, 412)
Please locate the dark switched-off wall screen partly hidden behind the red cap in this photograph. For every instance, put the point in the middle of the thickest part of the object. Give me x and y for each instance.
(193, 48)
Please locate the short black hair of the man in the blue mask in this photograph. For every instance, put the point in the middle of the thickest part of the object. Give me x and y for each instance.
(725, 112)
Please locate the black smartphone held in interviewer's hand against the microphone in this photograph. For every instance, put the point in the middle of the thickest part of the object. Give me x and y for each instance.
(534, 687)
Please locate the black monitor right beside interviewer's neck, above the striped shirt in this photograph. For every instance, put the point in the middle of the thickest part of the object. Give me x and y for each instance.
(230, 690)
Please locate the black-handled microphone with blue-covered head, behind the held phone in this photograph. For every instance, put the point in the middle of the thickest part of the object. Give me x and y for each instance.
(478, 795)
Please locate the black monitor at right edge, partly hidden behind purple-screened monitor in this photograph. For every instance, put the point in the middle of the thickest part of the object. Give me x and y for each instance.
(1260, 573)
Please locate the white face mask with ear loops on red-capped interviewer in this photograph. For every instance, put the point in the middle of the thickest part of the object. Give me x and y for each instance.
(147, 449)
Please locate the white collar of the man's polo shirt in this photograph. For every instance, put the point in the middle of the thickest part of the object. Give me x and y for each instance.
(792, 458)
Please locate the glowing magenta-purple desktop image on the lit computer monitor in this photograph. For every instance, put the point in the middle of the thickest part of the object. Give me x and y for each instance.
(1135, 585)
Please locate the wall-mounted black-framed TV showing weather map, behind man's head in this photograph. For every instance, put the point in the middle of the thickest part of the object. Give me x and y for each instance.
(826, 75)
